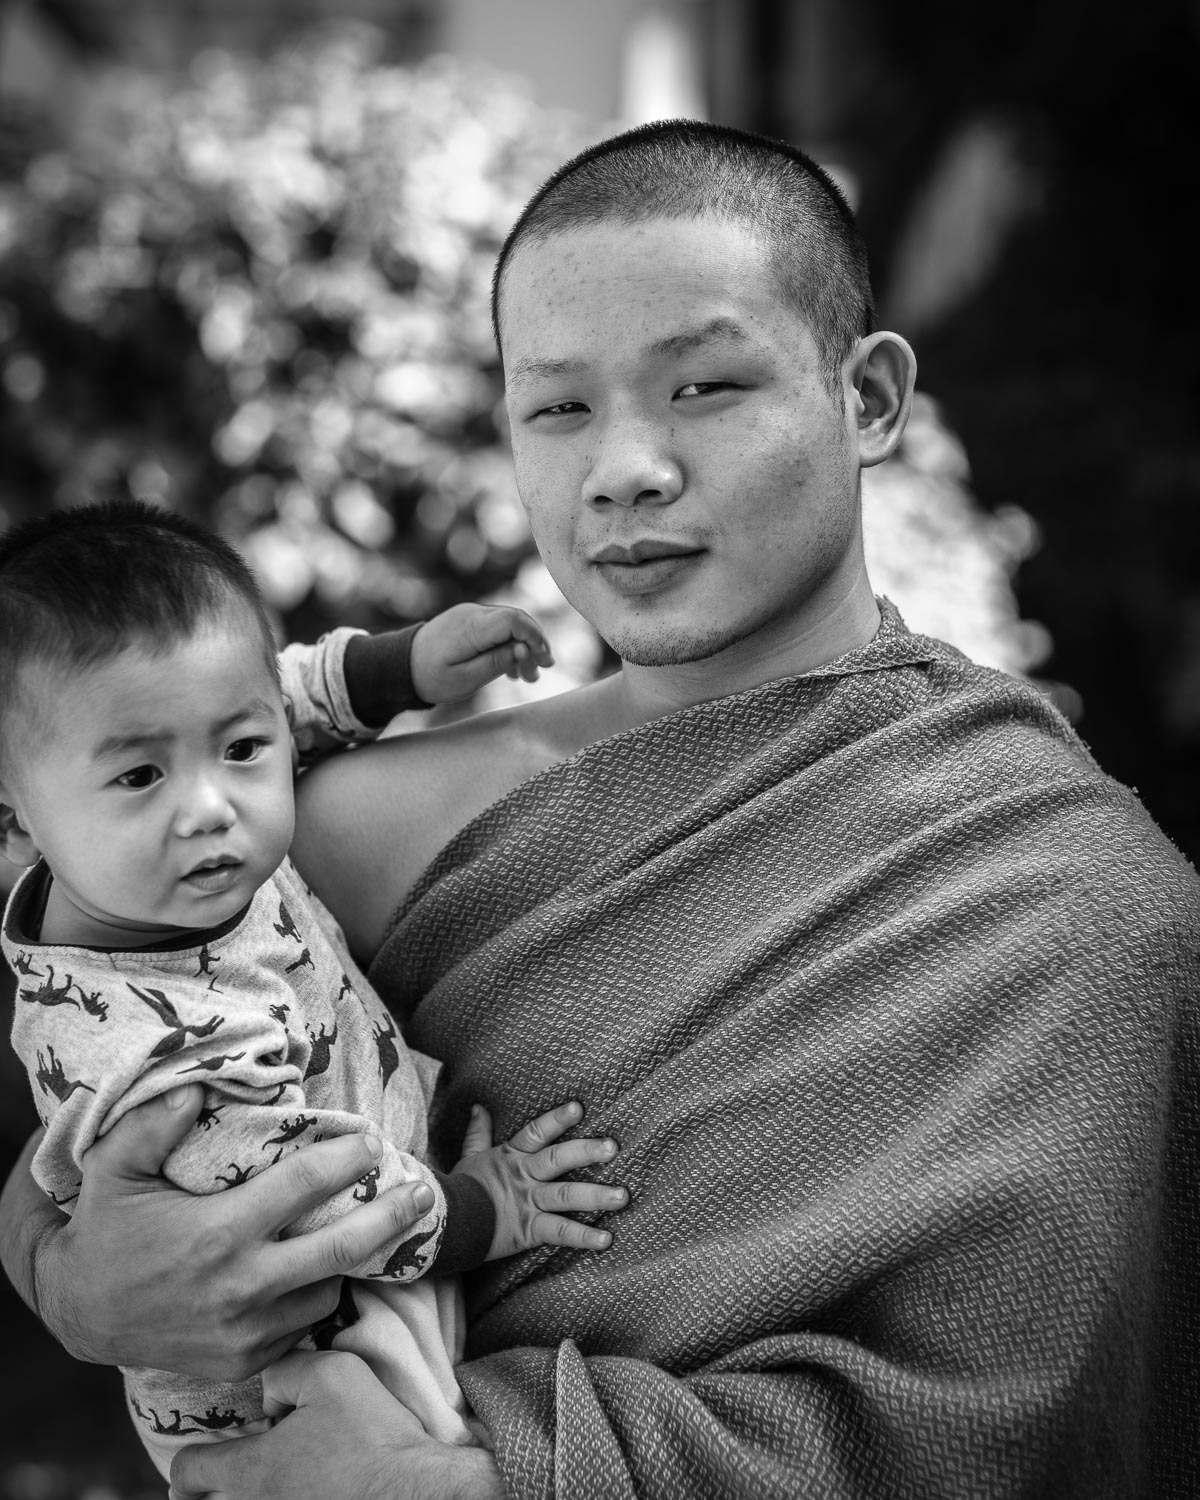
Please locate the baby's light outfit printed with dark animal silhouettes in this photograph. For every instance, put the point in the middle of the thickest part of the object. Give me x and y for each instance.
(274, 1018)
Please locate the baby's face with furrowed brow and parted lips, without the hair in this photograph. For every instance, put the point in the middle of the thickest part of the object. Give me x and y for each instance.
(160, 785)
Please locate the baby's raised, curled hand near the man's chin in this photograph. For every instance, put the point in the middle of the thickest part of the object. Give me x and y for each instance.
(460, 650)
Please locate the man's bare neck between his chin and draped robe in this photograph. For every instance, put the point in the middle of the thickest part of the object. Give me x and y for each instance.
(770, 655)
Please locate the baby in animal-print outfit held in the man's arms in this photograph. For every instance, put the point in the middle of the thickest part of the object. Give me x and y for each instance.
(161, 937)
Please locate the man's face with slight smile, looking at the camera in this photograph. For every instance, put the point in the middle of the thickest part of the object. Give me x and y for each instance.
(689, 478)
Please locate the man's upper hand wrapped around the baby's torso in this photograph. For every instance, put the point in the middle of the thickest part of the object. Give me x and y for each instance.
(145, 1274)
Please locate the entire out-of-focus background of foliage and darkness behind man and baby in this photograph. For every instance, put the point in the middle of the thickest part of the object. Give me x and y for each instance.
(244, 265)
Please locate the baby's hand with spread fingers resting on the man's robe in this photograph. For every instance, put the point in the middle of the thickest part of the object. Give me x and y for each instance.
(520, 1180)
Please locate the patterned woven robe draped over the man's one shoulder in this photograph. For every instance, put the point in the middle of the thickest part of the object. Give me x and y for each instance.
(889, 995)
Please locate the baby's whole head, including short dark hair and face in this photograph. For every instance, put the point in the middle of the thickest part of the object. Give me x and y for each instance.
(145, 752)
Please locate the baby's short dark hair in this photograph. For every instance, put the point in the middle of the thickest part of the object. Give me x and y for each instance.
(80, 586)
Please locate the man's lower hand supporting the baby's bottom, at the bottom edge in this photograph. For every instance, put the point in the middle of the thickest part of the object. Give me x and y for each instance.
(338, 1433)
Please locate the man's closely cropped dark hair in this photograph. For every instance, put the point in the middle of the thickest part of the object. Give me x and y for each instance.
(688, 170)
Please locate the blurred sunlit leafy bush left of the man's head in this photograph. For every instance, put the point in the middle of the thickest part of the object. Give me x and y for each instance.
(262, 298)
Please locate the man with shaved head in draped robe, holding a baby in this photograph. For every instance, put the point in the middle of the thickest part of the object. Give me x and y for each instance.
(886, 991)
